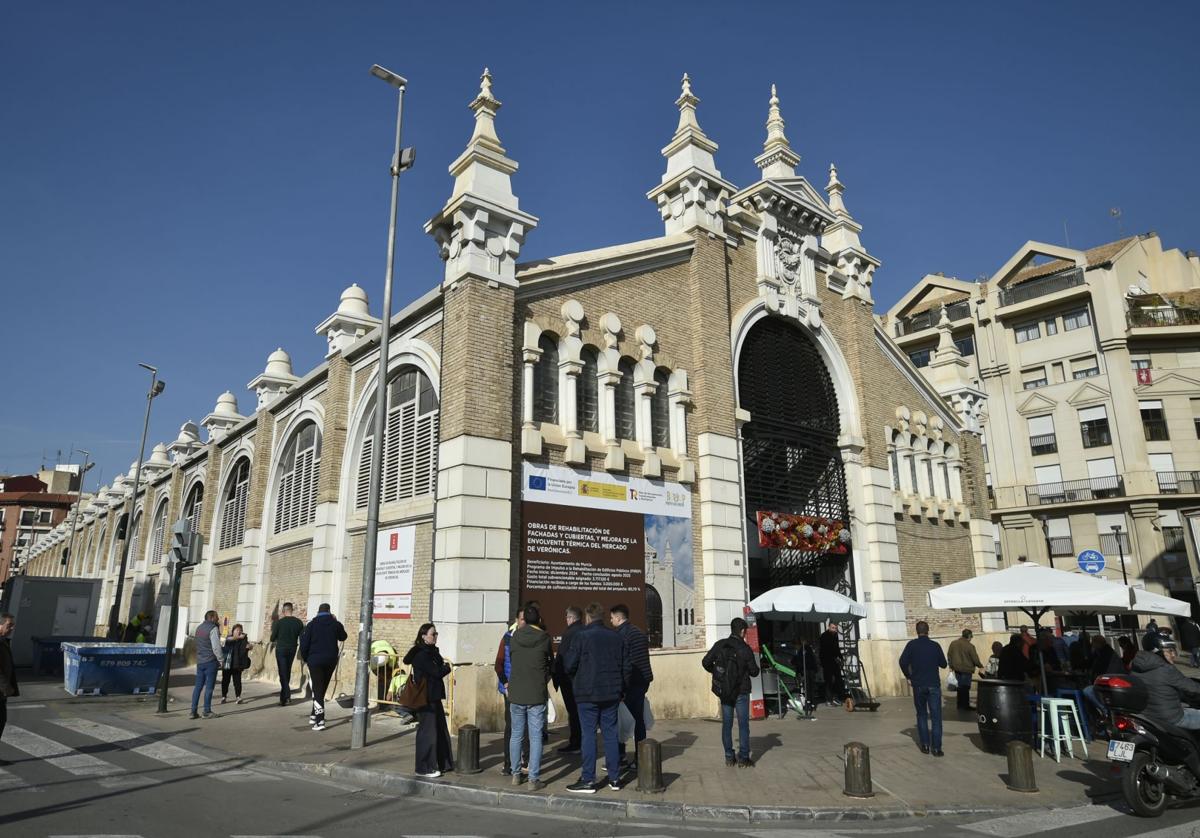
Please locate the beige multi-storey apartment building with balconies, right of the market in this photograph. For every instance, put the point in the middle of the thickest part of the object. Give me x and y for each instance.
(1090, 364)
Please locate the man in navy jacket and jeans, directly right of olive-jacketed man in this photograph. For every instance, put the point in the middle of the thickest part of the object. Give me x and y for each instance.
(599, 672)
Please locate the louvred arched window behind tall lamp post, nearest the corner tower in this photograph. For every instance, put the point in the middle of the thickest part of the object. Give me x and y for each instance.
(411, 435)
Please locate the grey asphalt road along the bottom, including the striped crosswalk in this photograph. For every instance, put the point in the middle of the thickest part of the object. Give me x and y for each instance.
(81, 770)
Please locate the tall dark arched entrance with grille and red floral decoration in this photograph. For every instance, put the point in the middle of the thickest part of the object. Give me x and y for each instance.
(793, 465)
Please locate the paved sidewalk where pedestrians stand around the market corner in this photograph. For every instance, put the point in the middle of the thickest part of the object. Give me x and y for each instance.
(800, 771)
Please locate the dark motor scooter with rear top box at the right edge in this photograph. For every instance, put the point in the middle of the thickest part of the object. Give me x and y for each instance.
(1162, 762)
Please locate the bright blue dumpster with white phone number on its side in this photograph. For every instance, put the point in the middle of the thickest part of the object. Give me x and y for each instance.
(112, 669)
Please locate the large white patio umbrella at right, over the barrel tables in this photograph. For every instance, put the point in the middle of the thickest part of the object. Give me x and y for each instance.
(1036, 590)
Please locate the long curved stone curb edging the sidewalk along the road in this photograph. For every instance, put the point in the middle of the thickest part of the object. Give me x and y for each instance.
(640, 810)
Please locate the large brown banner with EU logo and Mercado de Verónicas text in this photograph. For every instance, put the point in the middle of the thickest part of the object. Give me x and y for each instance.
(595, 537)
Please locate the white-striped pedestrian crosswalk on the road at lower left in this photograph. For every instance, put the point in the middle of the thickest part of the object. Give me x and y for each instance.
(75, 750)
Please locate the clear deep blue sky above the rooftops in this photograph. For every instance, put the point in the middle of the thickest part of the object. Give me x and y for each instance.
(193, 185)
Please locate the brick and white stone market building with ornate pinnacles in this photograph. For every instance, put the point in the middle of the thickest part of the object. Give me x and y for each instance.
(677, 423)
